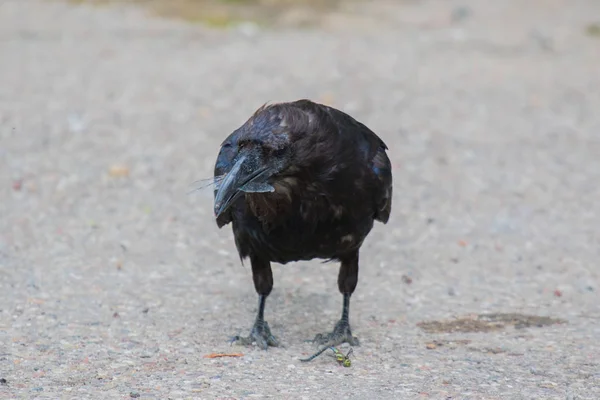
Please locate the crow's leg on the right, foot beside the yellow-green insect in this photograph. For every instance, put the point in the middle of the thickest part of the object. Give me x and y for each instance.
(347, 280)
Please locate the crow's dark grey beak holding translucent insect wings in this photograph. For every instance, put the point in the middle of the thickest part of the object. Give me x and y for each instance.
(244, 176)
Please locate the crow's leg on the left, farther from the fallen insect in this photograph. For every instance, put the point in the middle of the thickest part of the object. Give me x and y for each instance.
(263, 283)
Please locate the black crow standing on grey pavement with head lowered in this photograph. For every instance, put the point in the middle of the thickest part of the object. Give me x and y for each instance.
(301, 181)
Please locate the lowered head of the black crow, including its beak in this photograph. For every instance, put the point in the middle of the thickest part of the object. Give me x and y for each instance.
(251, 158)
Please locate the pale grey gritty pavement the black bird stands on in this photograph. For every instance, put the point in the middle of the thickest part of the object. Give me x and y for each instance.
(115, 282)
